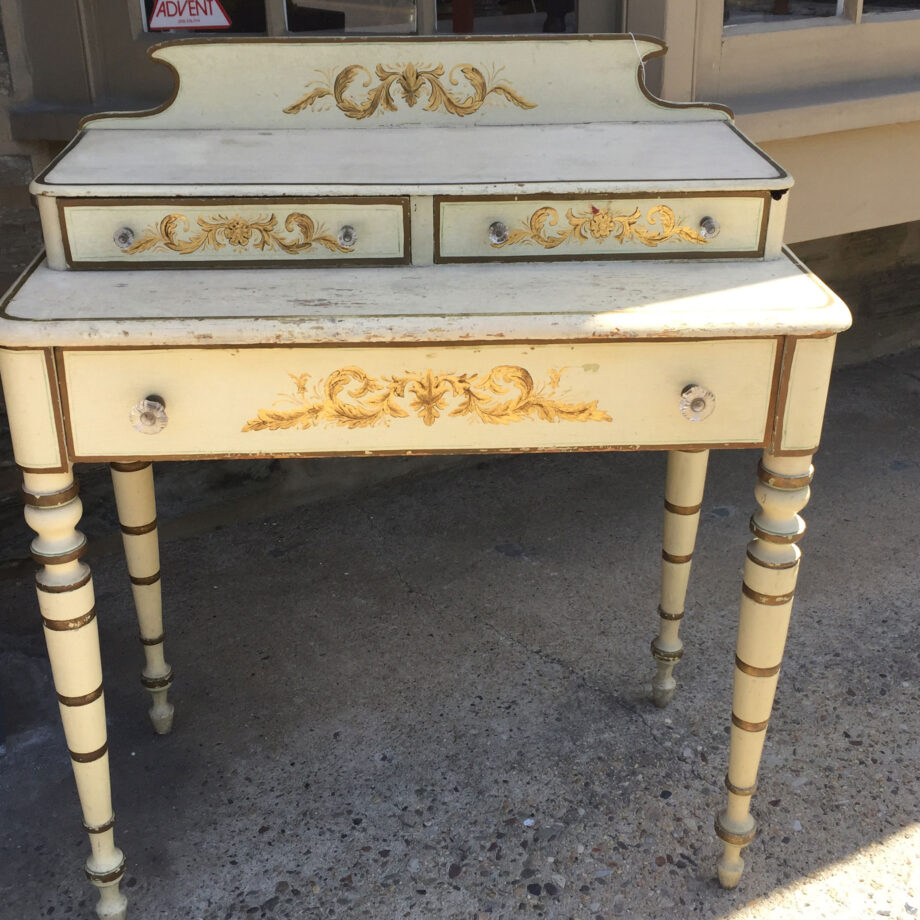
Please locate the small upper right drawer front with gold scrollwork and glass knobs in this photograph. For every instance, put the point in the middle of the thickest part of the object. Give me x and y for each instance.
(644, 227)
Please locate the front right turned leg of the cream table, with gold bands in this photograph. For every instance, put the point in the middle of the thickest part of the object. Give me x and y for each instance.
(770, 574)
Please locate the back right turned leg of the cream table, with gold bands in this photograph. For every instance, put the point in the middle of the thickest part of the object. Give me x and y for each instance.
(683, 495)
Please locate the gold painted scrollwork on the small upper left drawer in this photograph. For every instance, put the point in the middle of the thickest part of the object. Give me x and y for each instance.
(237, 232)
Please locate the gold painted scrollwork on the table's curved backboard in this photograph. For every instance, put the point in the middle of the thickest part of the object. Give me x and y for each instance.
(411, 83)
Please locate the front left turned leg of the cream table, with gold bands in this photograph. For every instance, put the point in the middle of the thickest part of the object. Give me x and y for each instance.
(65, 597)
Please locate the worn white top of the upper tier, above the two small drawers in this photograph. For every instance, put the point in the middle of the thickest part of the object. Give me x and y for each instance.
(604, 157)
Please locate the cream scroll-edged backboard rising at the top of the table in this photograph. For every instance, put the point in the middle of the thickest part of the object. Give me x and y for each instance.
(564, 79)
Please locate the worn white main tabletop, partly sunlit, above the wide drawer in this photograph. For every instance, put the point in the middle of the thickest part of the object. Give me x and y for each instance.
(550, 302)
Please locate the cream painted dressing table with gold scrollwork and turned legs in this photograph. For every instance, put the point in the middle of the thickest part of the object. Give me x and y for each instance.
(423, 246)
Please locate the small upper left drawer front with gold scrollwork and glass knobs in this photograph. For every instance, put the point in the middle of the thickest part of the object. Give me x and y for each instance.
(122, 234)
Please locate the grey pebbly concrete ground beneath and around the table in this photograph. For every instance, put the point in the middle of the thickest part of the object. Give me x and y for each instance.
(427, 696)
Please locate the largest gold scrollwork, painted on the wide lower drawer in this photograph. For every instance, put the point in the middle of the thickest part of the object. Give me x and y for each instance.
(352, 398)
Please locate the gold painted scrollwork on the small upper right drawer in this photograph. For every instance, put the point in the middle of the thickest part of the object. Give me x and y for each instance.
(600, 224)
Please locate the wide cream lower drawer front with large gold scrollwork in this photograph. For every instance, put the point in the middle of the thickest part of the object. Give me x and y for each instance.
(282, 401)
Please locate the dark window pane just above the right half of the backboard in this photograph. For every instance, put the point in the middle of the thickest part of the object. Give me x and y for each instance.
(503, 17)
